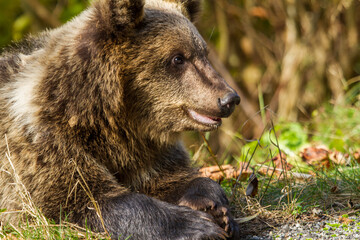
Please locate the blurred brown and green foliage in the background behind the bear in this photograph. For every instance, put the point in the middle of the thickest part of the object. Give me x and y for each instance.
(289, 60)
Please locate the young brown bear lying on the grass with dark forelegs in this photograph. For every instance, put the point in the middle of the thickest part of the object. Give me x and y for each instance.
(92, 112)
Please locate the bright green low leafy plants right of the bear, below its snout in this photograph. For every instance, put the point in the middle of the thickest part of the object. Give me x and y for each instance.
(336, 127)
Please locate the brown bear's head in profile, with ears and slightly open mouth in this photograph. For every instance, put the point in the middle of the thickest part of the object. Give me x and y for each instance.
(160, 71)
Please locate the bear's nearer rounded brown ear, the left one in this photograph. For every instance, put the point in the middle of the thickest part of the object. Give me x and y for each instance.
(122, 15)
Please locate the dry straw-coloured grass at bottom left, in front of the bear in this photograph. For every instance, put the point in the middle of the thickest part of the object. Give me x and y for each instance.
(33, 224)
